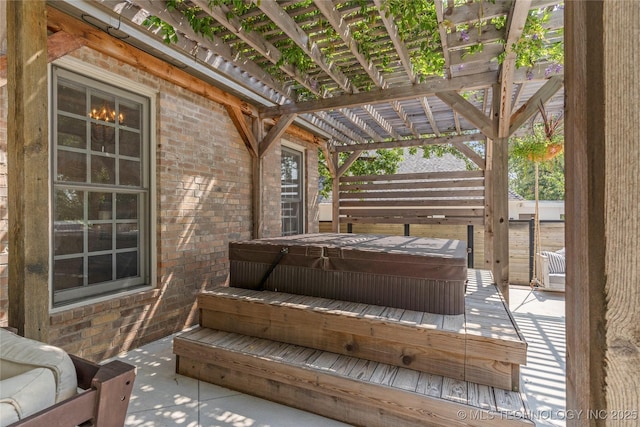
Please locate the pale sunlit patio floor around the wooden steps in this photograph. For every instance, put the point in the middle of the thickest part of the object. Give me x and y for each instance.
(162, 398)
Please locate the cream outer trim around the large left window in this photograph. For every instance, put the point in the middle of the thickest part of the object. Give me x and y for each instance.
(148, 255)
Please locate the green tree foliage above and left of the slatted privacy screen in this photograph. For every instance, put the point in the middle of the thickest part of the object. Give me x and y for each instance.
(382, 162)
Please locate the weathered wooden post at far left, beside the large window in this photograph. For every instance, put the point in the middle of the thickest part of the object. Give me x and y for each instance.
(28, 169)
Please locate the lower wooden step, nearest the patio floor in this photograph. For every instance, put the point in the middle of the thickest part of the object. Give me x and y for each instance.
(349, 389)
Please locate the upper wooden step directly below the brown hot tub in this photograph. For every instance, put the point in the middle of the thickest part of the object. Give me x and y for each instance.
(445, 345)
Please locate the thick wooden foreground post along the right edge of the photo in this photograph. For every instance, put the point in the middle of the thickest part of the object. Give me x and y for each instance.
(602, 83)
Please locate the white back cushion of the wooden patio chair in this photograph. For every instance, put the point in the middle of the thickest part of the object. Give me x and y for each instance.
(19, 355)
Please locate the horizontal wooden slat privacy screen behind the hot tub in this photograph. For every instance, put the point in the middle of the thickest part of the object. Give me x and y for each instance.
(415, 198)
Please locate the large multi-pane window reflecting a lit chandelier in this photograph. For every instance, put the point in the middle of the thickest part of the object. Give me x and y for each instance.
(100, 175)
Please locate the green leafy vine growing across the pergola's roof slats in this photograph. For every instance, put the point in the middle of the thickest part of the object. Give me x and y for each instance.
(417, 25)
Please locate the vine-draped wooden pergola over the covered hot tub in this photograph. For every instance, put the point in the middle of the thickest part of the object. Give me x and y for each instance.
(353, 74)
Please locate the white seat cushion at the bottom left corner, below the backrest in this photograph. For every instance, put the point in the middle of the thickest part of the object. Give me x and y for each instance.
(26, 394)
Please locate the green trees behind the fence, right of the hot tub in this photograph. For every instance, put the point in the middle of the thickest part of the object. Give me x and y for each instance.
(550, 181)
